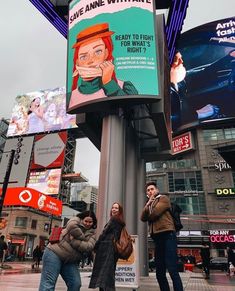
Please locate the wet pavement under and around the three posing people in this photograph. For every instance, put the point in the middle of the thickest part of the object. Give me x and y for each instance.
(20, 276)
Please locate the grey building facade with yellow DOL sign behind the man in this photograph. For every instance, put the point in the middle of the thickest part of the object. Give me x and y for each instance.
(202, 183)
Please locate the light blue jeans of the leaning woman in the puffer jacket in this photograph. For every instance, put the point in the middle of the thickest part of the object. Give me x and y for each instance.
(52, 267)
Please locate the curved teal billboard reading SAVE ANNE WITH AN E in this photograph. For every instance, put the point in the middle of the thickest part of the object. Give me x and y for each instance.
(111, 54)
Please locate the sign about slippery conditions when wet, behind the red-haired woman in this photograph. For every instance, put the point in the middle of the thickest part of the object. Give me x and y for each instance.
(127, 271)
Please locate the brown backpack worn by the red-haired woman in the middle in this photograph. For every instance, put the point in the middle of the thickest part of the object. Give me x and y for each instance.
(123, 247)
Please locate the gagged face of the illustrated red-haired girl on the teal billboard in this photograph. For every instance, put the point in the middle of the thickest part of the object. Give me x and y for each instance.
(91, 55)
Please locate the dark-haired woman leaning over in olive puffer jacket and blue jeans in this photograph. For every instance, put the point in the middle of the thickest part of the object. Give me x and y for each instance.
(62, 258)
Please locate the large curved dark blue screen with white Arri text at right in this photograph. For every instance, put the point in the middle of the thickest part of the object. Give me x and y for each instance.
(203, 75)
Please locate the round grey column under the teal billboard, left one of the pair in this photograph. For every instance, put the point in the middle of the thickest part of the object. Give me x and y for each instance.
(112, 167)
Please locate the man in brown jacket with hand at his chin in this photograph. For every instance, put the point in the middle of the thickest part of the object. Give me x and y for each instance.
(161, 227)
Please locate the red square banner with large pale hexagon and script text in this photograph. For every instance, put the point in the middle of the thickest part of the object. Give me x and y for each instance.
(49, 150)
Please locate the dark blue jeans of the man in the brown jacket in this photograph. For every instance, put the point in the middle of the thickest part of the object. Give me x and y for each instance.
(166, 259)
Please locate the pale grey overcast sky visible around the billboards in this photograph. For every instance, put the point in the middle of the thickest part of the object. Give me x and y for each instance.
(33, 57)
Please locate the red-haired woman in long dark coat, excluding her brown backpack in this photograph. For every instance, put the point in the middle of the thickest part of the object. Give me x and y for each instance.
(103, 273)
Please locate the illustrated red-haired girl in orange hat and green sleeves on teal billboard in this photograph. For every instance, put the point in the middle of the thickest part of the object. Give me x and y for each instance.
(93, 72)
